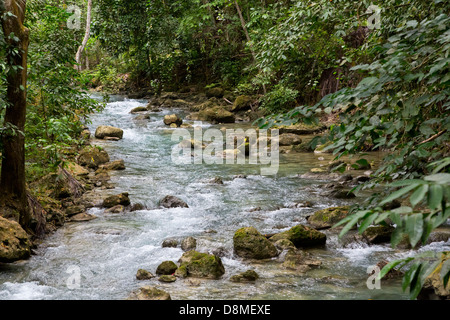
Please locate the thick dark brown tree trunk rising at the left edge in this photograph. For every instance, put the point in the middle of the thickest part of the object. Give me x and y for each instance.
(13, 196)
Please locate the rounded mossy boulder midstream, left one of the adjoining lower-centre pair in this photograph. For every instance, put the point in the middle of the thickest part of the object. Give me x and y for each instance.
(249, 243)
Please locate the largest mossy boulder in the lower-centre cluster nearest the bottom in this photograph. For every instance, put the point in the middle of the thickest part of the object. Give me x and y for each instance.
(200, 265)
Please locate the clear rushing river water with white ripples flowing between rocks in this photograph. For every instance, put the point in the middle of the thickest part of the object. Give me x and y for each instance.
(108, 251)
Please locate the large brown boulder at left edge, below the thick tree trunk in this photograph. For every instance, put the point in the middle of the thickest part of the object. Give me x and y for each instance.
(14, 242)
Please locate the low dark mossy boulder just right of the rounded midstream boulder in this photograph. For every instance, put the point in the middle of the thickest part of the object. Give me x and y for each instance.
(301, 236)
